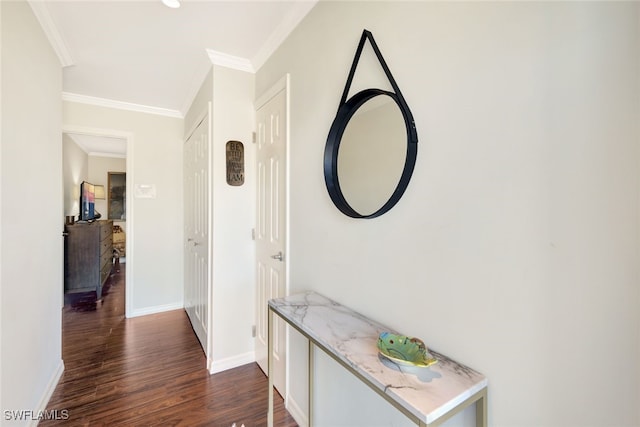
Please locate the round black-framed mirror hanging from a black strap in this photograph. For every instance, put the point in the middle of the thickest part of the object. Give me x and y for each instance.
(372, 147)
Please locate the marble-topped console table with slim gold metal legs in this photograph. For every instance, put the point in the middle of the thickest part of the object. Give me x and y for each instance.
(428, 396)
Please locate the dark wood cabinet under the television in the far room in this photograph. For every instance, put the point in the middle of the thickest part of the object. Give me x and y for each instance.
(88, 252)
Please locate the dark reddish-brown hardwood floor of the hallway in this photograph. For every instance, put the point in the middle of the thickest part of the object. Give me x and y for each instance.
(148, 371)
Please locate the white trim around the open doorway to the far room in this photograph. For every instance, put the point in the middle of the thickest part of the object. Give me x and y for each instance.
(129, 243)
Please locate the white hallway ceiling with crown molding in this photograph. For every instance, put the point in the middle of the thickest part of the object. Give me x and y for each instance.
(142, 54)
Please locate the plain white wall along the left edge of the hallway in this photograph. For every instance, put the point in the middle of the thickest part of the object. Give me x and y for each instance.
(31, 214)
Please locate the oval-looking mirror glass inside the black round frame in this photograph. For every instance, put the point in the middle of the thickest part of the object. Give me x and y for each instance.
(372, 154)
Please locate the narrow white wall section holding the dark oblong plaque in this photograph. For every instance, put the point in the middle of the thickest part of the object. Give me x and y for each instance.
(231, 93)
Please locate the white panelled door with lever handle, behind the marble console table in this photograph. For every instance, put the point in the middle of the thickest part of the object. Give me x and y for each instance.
(271, 257)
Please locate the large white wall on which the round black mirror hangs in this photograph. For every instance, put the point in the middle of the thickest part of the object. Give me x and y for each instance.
(515, 248)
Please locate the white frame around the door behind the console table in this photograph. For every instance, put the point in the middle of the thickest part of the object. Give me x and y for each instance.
(284, 83)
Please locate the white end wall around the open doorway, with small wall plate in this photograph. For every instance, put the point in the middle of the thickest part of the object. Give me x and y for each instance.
(155, 257)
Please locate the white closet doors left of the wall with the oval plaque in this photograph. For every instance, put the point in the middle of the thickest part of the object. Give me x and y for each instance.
(196, 229)
